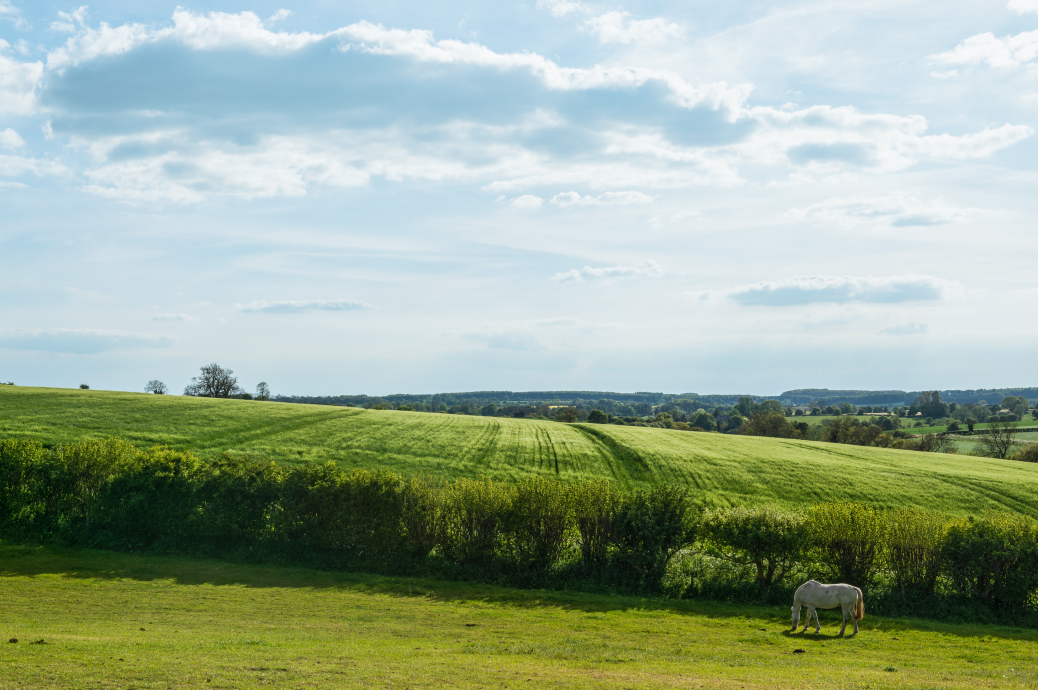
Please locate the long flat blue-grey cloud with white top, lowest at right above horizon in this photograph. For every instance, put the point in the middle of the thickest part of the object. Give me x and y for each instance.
(812, 290)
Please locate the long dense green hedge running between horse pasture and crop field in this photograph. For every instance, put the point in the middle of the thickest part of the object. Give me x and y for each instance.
(536, 533)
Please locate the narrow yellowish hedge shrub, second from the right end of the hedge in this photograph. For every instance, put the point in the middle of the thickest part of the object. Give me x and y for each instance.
(915, 548)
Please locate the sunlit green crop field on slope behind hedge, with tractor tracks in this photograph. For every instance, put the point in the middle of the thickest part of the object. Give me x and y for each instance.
(725, 471)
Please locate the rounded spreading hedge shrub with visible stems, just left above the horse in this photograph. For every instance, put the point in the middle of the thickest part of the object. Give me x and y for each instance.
(772, 540)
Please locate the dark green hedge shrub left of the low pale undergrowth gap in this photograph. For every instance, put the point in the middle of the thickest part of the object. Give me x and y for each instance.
(650, 528)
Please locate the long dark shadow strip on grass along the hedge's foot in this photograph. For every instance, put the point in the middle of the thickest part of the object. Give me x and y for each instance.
(19, 561)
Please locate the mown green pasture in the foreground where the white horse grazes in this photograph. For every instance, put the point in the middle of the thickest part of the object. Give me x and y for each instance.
(117, 621)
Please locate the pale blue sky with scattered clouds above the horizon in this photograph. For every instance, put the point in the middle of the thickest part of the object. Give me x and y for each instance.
(381, 198)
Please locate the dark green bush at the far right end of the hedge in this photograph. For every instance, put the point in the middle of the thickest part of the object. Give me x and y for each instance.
(995, 559)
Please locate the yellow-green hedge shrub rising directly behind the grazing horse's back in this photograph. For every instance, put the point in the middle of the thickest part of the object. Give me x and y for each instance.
(849, 538)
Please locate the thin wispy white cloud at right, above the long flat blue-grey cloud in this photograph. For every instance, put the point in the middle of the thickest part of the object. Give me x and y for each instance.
(898, 210)
